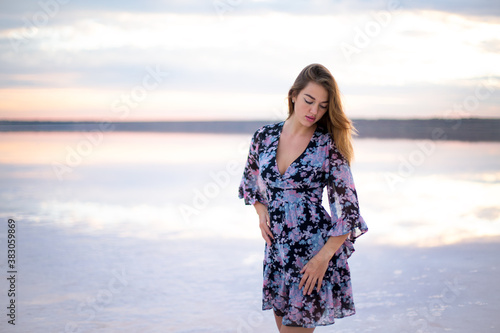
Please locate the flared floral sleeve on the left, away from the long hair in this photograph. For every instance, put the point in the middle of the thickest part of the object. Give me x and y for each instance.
(251, 188)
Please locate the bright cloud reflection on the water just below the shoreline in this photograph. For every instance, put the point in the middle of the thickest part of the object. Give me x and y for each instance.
(185, 185)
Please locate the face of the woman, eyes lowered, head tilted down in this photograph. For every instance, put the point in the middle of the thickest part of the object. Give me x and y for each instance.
(310, 104)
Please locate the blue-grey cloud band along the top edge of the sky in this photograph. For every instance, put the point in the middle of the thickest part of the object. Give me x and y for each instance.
(14, 13)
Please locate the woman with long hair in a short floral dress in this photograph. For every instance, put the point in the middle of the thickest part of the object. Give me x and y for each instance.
(306, 275)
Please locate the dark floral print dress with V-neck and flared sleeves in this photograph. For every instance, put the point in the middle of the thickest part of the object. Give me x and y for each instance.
(301, 225)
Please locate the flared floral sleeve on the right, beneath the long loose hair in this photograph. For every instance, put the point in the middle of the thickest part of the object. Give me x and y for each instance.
(343, 198)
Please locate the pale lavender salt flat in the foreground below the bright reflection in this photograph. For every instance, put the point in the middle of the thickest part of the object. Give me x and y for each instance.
(89, 282)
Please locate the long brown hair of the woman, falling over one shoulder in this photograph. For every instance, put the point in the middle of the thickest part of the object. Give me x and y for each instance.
(334, 120)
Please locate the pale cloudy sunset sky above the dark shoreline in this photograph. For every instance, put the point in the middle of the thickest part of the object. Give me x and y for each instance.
(236, 59)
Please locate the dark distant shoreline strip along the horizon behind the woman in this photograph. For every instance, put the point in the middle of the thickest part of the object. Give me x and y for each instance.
(466, 129)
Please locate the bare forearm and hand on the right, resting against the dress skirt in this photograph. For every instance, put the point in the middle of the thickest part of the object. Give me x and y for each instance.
(314, 271)
